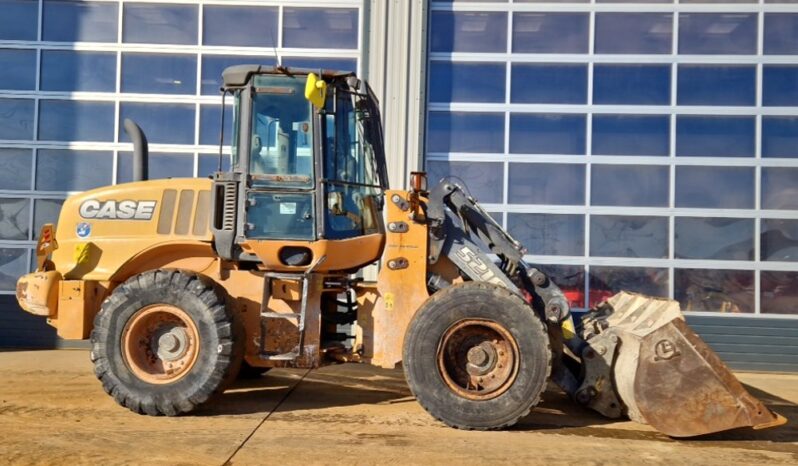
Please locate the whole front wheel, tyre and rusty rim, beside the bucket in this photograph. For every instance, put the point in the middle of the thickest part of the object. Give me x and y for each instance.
(476, 356)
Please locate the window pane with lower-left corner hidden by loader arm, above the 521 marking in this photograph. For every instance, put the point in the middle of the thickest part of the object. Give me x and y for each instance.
(549, 234)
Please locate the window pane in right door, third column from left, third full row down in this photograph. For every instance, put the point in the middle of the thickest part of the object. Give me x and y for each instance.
(631, 135)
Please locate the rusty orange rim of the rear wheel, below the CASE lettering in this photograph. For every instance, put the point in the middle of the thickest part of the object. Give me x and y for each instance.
(160, 343)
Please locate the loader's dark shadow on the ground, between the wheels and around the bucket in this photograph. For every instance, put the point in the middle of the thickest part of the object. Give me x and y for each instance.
(351, 384)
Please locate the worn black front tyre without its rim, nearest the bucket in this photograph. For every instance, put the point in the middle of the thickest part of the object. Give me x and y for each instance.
(472, 300)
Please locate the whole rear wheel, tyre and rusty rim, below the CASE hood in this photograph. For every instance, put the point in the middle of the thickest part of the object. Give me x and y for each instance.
(164, 343)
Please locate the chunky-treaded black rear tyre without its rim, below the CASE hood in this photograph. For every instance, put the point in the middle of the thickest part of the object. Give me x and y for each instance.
(219, 352)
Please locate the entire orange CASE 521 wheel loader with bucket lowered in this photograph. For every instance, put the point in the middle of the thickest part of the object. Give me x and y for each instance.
(182, 283)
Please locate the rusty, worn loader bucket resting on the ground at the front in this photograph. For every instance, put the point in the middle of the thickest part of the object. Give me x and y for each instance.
(662, 372)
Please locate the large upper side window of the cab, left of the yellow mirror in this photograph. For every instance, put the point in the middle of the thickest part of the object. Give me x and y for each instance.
(281, 140)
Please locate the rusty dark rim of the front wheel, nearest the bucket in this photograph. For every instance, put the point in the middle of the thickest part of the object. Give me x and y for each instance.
(478, 359)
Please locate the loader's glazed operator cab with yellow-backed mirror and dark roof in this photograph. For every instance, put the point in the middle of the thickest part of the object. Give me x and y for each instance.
(308, 170)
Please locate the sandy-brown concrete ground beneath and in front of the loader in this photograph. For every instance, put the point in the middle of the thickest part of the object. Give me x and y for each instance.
(53, 411)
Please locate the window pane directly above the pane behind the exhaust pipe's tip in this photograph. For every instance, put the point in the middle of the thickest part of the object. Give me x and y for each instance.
(155, 73)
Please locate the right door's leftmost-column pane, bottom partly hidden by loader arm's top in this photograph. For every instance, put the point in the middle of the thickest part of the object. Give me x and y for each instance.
(483, 180)
